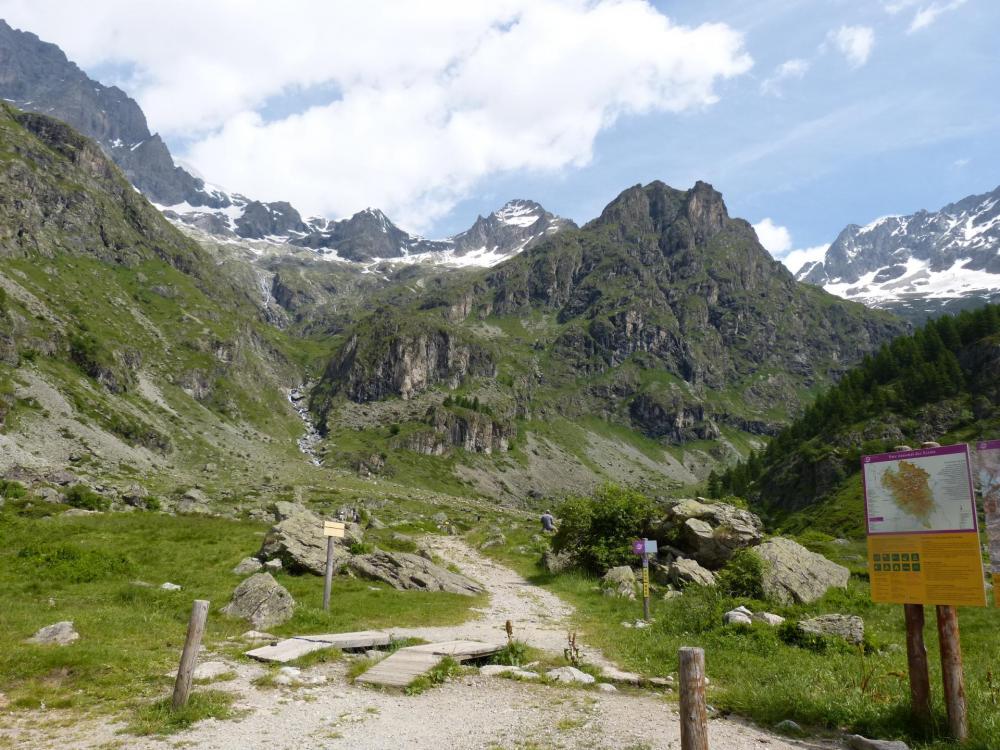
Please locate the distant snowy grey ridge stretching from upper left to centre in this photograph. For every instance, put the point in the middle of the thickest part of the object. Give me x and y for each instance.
(37, 76)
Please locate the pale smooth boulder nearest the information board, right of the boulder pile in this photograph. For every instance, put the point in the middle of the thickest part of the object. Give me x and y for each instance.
(794, 575)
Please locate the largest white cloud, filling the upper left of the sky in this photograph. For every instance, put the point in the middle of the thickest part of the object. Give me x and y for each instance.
(434, 96)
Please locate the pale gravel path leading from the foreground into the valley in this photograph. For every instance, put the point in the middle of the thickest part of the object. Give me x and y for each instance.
(470, 712)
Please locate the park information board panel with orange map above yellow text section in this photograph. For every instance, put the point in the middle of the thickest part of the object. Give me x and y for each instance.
(923, 536)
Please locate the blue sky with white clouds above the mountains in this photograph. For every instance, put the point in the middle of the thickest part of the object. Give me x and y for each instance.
(807, 115)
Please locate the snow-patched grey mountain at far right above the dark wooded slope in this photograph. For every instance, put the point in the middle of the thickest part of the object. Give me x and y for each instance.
(918, 265)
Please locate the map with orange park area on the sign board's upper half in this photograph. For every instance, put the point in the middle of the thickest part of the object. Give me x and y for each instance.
(919, 491)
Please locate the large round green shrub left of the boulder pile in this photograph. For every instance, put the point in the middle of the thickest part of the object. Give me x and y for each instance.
(599, 530)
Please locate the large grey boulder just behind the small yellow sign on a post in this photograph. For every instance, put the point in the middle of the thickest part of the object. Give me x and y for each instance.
(297, 540)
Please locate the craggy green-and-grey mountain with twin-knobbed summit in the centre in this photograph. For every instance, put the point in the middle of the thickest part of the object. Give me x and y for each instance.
(664, 319)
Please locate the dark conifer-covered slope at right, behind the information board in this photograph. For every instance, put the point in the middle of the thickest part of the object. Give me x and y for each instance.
(938, 384)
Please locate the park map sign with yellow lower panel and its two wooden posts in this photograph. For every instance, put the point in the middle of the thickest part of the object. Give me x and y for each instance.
(923, 548)
